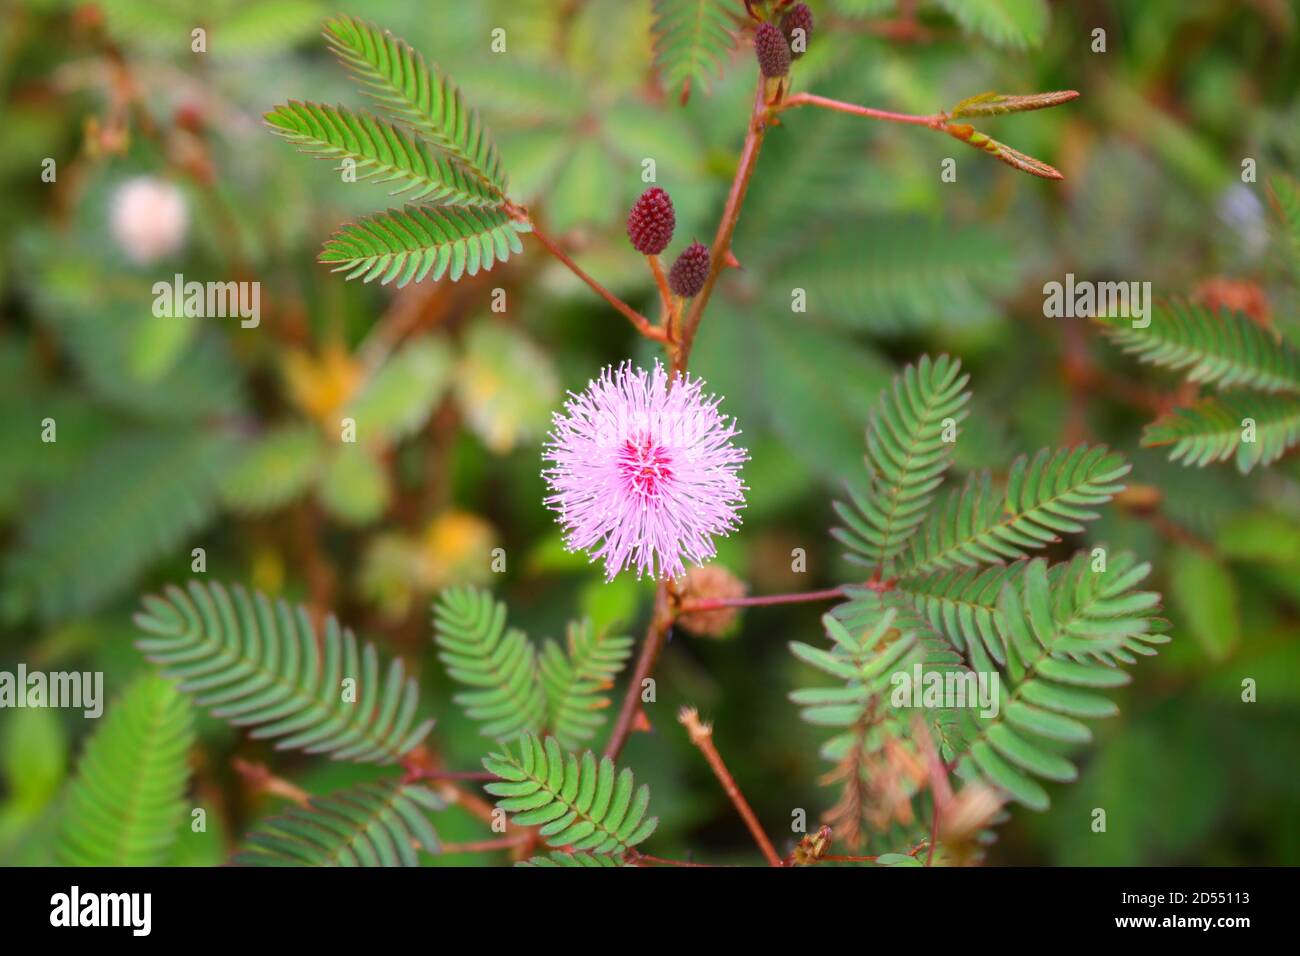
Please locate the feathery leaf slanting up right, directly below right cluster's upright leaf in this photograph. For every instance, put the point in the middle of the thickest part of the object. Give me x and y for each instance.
(1046, 498)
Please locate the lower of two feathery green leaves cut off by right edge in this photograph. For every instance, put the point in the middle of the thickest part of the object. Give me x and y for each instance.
(1215, 430)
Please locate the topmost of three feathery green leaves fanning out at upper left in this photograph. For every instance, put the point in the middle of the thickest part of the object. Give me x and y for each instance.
(423, 100)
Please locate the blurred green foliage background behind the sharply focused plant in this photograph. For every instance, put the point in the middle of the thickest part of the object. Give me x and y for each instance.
(176, 435)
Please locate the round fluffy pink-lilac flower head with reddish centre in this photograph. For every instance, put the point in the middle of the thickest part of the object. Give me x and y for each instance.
(644, 474)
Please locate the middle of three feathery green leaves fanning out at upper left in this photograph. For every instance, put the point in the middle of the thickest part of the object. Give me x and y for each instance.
(383, 154)
